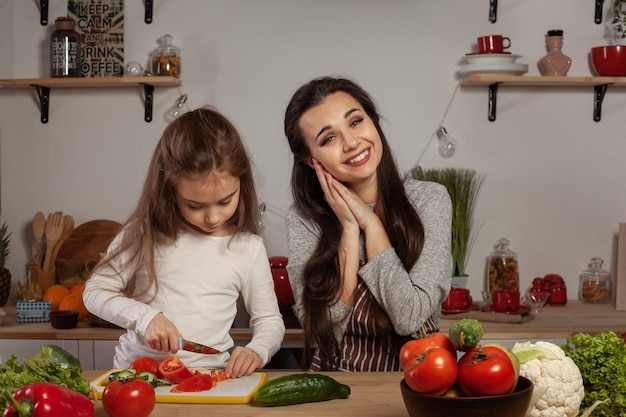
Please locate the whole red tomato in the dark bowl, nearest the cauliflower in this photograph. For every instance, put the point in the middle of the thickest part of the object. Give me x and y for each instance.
(486, 370)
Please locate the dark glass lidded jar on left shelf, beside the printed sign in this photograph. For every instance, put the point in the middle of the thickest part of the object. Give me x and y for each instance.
(64, 49)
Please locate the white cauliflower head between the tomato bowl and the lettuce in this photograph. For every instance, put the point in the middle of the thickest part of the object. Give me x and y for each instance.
(559, 388)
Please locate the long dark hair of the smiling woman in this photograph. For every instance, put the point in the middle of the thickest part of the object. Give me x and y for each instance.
(322, 273)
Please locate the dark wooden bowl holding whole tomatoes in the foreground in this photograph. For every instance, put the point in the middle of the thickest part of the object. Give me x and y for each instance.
(514, 404)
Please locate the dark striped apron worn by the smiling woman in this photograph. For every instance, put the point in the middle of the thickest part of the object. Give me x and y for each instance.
(361, 350)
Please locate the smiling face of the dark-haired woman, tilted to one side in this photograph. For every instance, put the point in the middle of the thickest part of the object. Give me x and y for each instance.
(343, 138)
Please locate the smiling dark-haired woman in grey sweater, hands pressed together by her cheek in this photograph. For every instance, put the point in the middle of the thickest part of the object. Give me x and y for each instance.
(369, 254)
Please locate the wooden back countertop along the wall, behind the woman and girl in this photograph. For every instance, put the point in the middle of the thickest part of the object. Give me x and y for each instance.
(551, 323)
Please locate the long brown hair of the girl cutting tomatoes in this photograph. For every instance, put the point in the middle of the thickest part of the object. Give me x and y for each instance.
(194, 145)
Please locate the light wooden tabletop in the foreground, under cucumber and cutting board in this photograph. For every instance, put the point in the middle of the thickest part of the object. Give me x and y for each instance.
(372, 394)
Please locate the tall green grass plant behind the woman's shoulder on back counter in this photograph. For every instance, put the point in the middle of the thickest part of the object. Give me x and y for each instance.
(464, 186)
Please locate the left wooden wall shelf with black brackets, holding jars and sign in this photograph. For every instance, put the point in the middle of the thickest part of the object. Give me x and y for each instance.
(43, 86)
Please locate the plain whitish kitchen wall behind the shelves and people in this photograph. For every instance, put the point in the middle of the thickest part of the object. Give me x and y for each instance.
(554, 176)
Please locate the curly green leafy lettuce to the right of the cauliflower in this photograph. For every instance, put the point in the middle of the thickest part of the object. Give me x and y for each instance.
(602, 362)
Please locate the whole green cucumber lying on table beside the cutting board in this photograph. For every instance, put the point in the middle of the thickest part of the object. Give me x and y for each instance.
(300, 388)
